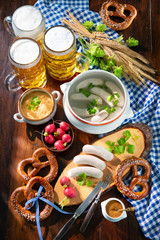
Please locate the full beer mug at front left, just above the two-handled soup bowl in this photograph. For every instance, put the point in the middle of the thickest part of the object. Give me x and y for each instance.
(26, 58)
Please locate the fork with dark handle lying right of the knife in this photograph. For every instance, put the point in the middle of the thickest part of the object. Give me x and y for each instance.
(94, 205)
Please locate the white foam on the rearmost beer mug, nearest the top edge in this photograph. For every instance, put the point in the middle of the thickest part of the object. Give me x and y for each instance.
(27, 18)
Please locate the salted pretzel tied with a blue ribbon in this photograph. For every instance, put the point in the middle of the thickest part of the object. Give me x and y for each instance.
(28, 194)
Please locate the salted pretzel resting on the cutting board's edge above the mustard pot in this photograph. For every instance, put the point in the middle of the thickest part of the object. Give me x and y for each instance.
(137, 179)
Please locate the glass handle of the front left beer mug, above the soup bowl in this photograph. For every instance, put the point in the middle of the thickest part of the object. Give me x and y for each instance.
(8, 81)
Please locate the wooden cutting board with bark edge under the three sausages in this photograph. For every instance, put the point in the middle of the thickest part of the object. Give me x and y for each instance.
(142, 147)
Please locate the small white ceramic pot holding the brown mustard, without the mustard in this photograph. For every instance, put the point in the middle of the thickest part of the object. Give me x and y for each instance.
(108, 217)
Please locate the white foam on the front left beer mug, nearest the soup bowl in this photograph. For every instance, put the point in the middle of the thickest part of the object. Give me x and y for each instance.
(24, 51)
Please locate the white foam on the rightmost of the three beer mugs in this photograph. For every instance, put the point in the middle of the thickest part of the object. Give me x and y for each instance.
(59, 39)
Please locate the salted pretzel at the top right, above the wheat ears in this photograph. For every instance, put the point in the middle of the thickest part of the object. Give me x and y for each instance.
(119, 12)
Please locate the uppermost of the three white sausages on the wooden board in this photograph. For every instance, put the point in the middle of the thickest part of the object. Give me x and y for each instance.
(98, 151)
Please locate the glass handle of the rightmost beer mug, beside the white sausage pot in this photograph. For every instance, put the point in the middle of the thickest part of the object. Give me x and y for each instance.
(82, 63)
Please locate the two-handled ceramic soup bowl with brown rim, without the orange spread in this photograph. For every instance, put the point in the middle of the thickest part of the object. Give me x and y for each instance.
(20, 117)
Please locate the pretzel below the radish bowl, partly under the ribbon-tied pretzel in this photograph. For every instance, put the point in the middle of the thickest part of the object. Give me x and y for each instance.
(38, 165)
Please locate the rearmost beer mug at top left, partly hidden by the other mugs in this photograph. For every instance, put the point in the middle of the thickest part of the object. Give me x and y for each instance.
(27, 21)
